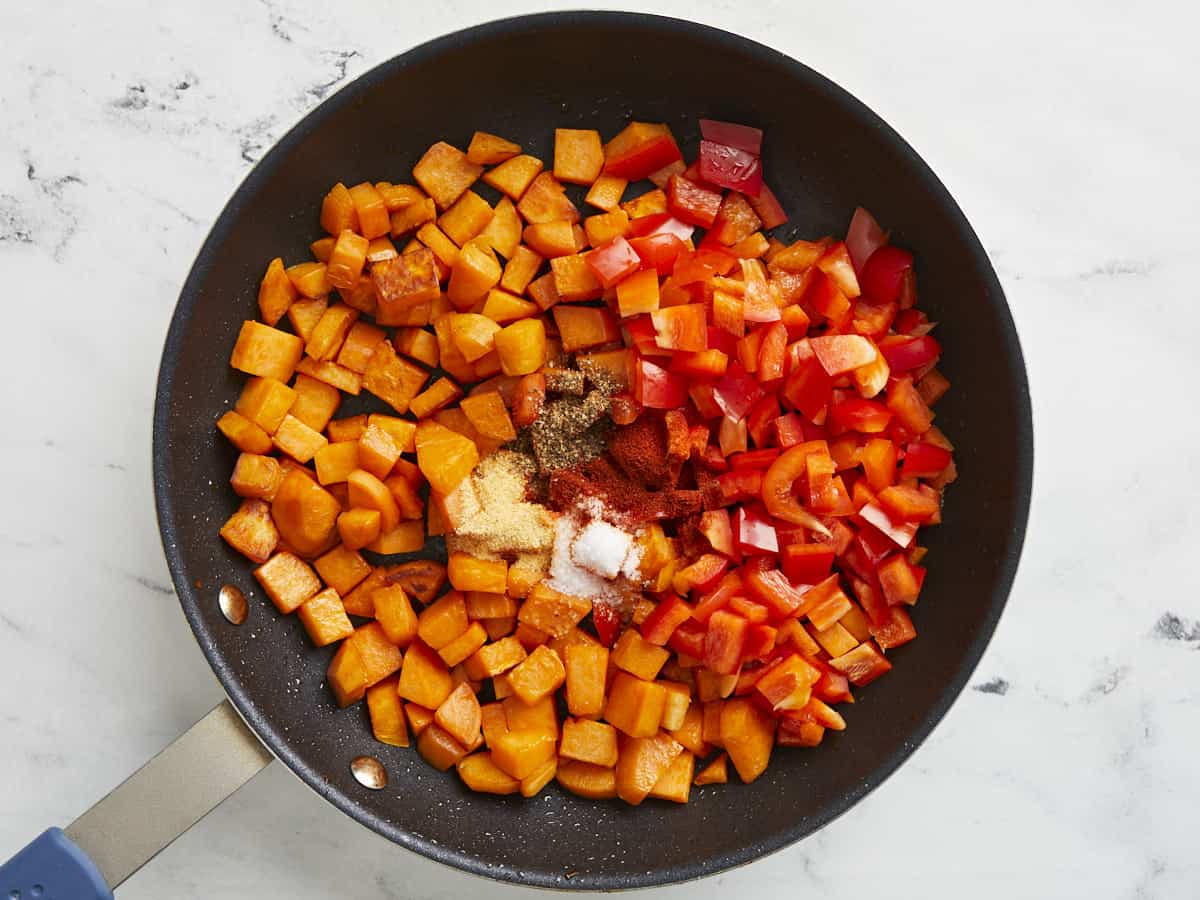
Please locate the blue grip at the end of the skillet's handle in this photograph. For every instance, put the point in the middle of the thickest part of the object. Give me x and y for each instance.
(52, 868)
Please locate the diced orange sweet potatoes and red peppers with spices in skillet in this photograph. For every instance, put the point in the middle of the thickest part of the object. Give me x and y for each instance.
(681, 476)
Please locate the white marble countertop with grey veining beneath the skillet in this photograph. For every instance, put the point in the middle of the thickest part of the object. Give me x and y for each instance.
(1066, 130)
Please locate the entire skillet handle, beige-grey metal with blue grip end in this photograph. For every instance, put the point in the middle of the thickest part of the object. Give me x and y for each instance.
(149, 811)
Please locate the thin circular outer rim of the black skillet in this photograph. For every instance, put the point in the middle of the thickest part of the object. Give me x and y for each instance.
(166, 507)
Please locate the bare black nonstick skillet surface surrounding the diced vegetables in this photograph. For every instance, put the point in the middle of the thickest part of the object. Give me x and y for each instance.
(825, 154)
